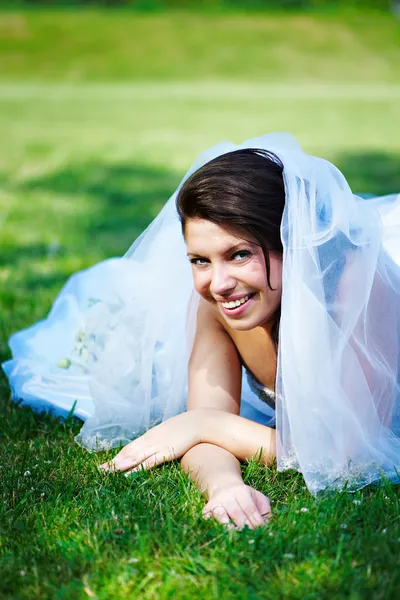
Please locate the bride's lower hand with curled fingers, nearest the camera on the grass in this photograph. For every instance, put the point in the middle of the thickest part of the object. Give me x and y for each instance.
(240, 504)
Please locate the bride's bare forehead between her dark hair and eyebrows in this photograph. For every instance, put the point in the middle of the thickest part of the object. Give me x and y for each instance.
(202, 236)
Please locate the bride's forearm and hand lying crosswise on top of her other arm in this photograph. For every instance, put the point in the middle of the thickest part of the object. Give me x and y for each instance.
(173, 438)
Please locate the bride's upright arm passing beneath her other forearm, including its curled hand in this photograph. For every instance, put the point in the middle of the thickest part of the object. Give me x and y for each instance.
(215, 376)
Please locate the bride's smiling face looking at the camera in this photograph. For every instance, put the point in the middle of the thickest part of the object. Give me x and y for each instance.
(230, 273)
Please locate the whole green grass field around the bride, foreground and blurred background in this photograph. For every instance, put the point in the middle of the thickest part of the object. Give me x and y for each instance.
(100, 115)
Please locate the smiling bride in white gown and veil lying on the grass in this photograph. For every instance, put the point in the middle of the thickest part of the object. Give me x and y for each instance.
(274, 319)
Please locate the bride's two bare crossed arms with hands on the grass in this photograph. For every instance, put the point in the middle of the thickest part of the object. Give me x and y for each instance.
(210, 433)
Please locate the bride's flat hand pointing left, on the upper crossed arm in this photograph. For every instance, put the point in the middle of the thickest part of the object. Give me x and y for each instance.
(167, 441)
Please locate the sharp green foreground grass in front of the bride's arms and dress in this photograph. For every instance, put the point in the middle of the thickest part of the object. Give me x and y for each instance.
(69, 532)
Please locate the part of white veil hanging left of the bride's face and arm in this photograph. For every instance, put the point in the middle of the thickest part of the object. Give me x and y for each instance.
(139, 340)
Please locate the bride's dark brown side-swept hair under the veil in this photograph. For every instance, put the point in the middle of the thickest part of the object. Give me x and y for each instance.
(241, 190)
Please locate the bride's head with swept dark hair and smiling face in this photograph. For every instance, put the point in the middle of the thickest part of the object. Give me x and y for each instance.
(234, 243)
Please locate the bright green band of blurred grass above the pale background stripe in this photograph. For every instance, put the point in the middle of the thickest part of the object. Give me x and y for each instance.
(72, 46)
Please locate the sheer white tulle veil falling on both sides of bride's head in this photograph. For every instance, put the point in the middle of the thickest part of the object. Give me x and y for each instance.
(338, 417)
